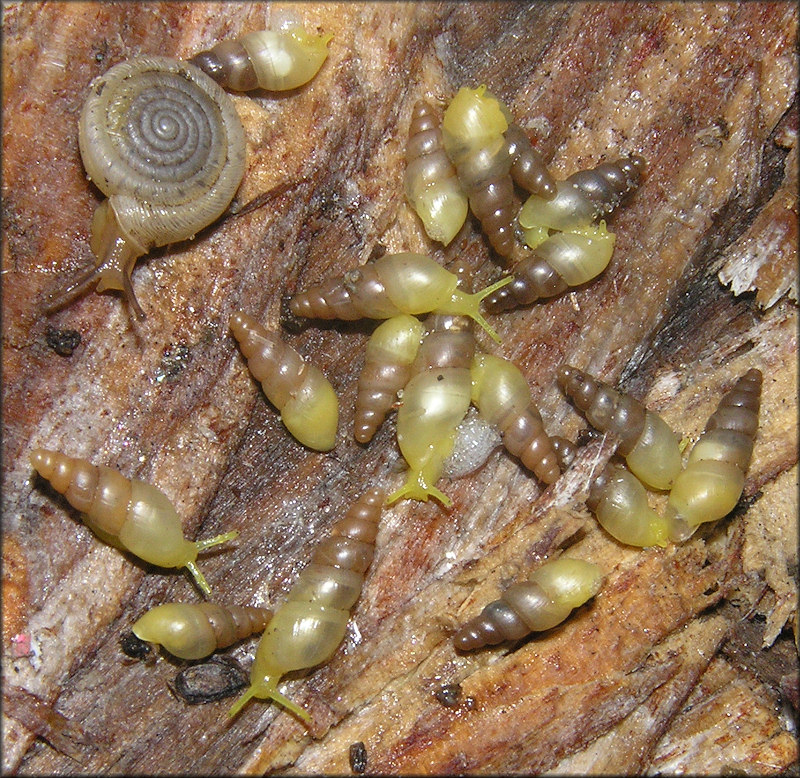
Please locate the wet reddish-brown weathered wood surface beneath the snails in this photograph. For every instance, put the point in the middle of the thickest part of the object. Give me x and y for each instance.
(707, 93)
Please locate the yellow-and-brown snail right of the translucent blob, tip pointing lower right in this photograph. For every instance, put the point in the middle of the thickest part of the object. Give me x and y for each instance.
(503, 397)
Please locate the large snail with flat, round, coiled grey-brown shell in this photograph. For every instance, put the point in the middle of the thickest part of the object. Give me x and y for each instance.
(164, 143)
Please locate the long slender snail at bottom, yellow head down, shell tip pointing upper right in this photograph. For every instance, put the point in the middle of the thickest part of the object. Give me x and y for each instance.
(309, 626)
